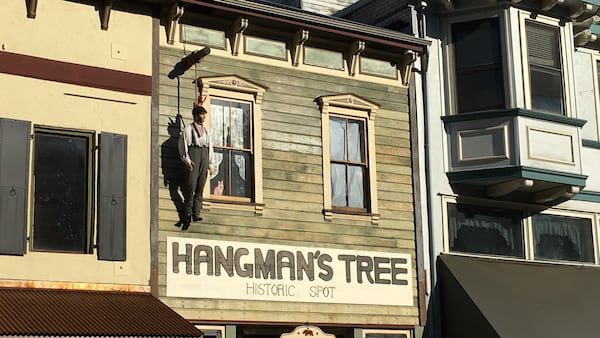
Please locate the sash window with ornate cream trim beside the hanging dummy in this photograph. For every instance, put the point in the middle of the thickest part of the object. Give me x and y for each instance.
(234, 115)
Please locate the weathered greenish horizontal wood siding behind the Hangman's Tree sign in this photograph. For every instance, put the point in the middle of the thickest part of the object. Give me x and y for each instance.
(293, 186)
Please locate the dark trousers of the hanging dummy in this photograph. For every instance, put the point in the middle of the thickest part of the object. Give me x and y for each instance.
(195, 180)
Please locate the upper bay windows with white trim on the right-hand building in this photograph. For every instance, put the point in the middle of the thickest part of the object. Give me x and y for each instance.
(510, 59)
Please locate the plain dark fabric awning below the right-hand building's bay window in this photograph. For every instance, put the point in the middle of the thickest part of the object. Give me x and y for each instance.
(492, 298)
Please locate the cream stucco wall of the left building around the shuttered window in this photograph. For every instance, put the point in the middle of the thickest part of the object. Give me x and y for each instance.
(70, 32)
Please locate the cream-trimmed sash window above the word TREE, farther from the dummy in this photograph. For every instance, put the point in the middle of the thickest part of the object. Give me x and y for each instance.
(348, 156)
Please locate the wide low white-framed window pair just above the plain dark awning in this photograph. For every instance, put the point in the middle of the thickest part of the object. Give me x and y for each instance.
(552, 235)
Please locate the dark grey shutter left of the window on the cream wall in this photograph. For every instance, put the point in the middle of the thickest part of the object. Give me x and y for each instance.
(14, 164)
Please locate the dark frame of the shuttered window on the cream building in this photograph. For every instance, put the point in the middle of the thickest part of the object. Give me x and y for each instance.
(90, 194)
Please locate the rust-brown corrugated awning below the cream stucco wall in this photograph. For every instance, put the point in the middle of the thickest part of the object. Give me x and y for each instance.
(74, 313)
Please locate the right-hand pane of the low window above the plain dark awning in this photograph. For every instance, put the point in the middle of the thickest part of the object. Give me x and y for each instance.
(563, 238)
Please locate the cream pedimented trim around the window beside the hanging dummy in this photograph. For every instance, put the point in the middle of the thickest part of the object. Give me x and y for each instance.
(237, 88)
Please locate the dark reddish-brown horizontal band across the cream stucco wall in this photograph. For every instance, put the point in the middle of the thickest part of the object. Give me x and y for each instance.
(76, 74)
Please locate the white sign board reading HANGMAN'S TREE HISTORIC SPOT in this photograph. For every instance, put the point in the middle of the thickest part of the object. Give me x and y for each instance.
(200, 268)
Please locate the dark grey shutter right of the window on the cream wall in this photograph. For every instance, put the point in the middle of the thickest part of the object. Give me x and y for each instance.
(112, 165)
